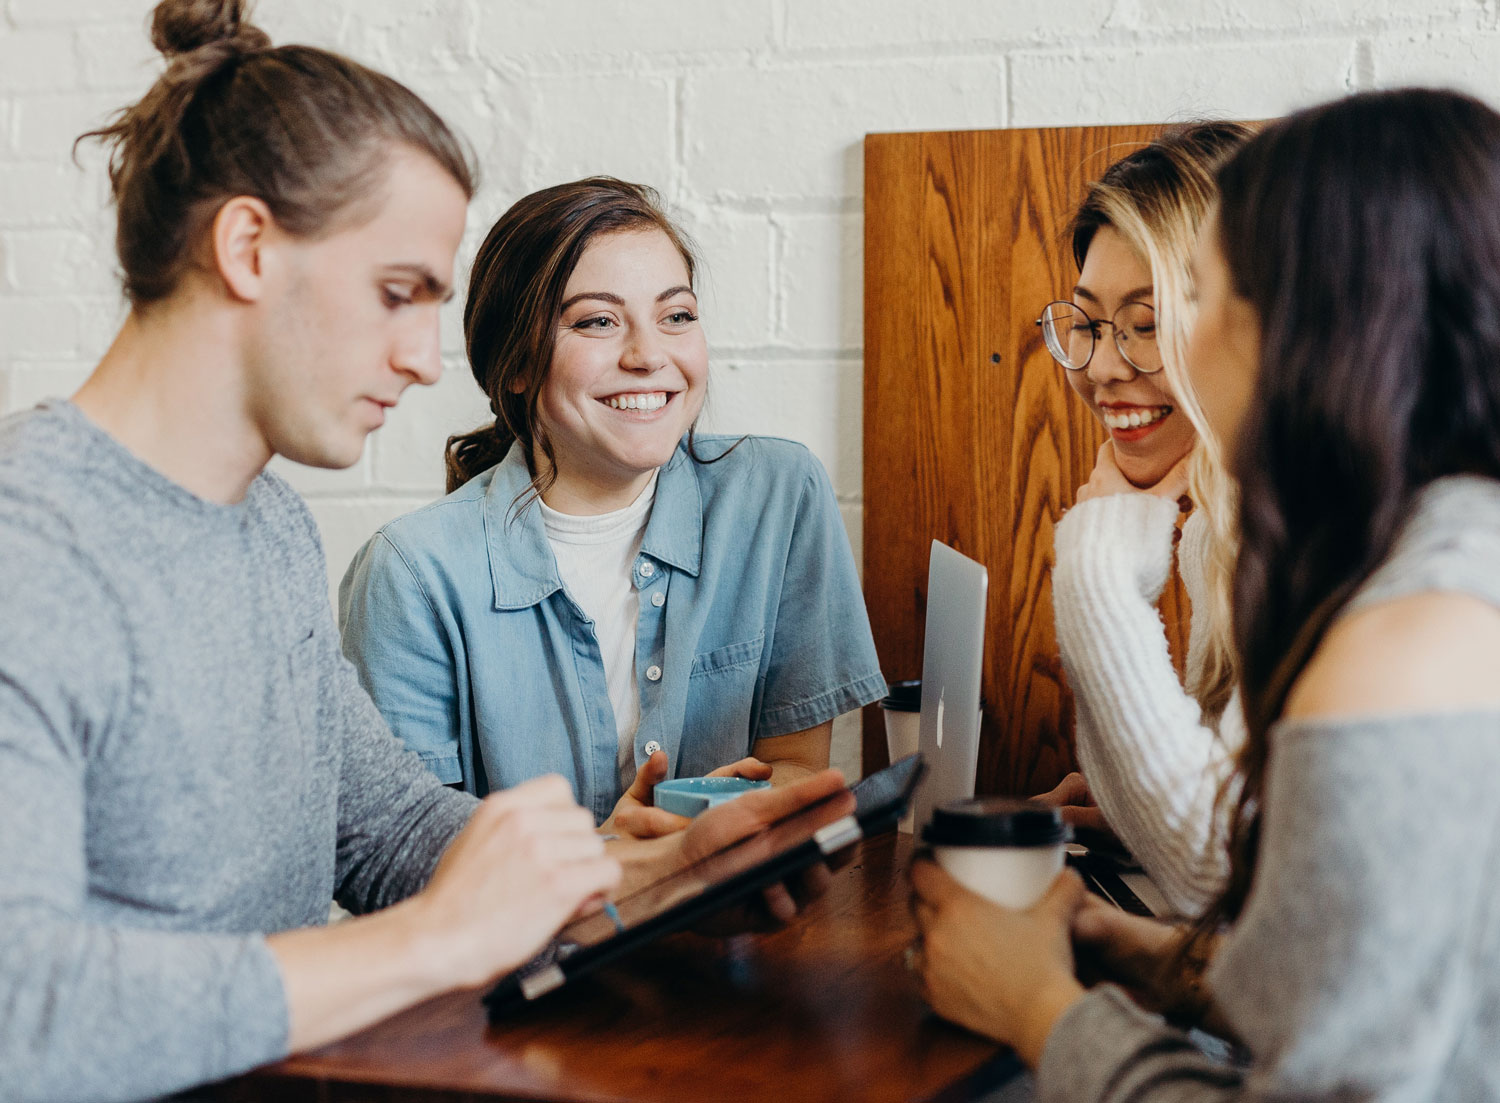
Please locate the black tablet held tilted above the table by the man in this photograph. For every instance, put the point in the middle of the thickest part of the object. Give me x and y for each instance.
(724, 879)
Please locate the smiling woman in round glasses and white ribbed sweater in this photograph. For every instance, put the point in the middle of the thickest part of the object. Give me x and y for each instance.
(1154, 754)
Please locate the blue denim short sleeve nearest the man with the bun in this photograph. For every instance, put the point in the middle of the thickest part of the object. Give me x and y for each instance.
(397, 642)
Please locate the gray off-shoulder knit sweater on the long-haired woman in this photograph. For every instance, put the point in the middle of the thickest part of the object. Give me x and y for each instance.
(1367, 963)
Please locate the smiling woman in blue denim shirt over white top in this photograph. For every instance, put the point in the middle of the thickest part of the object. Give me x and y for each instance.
(604, 594)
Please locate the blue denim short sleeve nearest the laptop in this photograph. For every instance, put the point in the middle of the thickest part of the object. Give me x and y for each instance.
(823, 657)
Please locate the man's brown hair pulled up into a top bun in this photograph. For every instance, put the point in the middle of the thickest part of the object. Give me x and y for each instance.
(299, 128)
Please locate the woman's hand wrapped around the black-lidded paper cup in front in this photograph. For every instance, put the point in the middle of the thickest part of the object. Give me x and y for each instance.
(1003, 973)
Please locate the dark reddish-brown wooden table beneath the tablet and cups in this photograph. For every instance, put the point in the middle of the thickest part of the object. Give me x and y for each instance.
(820, 1012)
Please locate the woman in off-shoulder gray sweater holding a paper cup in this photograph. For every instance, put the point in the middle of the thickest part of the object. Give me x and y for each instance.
(1346, 353)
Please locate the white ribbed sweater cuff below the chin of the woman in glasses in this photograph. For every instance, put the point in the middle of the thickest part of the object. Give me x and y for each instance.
(1121, 536)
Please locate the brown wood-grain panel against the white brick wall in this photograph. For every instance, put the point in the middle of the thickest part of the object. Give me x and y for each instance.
(971, 433)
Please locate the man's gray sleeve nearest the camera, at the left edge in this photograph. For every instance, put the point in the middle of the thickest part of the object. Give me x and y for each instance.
(91, 1011)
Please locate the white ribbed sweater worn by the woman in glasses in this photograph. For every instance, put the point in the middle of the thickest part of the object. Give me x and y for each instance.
(1151, 762)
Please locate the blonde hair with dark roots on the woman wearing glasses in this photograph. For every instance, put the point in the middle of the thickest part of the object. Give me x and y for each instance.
(1157, 199)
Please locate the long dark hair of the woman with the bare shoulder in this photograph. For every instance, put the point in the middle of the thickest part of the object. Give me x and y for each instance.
(1366, 235)
